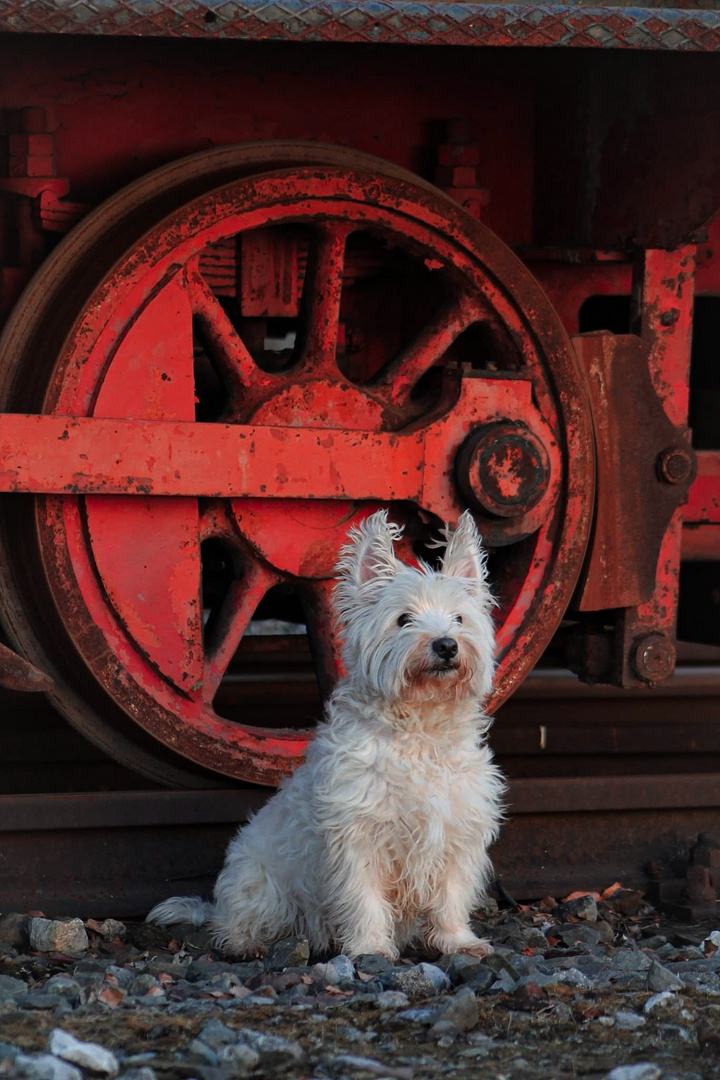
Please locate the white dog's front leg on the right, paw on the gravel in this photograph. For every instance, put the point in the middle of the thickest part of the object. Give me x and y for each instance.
(449, 916)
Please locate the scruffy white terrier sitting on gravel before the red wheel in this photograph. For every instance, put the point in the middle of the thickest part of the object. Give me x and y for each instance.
(383, 835)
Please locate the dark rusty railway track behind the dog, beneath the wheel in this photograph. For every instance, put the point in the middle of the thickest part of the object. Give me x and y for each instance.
(602, 784)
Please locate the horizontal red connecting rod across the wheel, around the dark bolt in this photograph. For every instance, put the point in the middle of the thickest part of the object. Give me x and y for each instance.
(59, 455)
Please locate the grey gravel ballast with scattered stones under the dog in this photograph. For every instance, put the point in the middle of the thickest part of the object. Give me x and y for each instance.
(593, 988)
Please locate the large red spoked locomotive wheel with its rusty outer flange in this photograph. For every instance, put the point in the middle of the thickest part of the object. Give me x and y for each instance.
(343, 308)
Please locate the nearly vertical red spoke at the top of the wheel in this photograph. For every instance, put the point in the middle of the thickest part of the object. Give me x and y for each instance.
(321, 302)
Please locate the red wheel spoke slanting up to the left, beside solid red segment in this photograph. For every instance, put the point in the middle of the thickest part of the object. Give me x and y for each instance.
(229, 353)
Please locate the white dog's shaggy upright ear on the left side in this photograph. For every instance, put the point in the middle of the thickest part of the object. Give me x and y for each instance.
(369, 559)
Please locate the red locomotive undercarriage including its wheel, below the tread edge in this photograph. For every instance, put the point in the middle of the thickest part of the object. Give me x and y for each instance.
(360, 268)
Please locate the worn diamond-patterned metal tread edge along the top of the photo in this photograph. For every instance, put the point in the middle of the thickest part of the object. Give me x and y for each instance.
(402, 22)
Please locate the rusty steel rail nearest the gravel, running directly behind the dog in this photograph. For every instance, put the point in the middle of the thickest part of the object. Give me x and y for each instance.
(118, 855)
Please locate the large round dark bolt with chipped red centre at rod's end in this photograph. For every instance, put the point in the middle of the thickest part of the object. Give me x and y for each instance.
(504, 469)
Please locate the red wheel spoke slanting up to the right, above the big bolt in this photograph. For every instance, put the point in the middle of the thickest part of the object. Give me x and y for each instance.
(399, 379)
